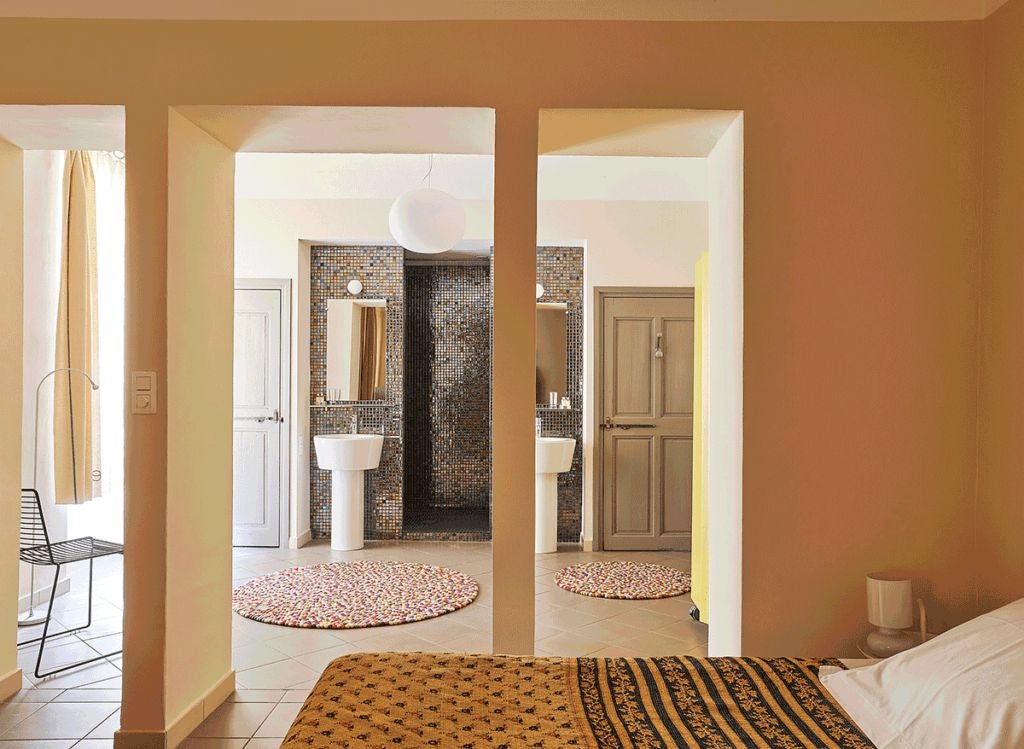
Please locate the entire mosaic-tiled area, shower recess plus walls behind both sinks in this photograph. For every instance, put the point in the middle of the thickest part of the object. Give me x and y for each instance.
(435, 483)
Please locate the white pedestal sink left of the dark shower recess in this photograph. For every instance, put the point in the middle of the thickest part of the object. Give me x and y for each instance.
(348, 456)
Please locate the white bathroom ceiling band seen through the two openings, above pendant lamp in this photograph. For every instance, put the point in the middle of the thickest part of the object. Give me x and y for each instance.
(386, 177)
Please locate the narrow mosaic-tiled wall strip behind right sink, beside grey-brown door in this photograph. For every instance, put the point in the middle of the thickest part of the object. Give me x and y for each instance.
(560, 270)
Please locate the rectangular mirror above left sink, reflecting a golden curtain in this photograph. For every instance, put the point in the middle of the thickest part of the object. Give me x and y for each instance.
(357, 350)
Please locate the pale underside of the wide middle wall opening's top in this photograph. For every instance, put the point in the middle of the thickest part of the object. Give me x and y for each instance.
(349, 130)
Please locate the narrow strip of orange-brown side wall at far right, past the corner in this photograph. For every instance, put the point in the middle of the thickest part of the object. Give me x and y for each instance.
(1001, 423)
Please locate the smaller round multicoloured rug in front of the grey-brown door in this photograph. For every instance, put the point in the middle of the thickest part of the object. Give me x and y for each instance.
(623, 580)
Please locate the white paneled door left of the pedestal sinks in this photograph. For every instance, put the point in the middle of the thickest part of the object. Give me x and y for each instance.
(259, 424)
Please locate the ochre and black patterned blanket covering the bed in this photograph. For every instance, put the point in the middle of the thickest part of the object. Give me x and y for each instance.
(445, 700)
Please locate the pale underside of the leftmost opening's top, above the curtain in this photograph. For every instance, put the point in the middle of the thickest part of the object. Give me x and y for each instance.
(60, 128)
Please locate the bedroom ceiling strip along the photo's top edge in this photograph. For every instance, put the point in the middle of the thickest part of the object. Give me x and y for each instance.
(507, 10)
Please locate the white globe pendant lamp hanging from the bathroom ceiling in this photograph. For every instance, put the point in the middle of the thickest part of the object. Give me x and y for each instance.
(428, 221)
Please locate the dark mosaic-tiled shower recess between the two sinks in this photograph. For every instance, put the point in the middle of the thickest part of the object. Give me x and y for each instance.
(447, 409)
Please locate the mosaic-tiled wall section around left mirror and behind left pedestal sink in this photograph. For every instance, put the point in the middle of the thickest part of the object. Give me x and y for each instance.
(380, 270)
